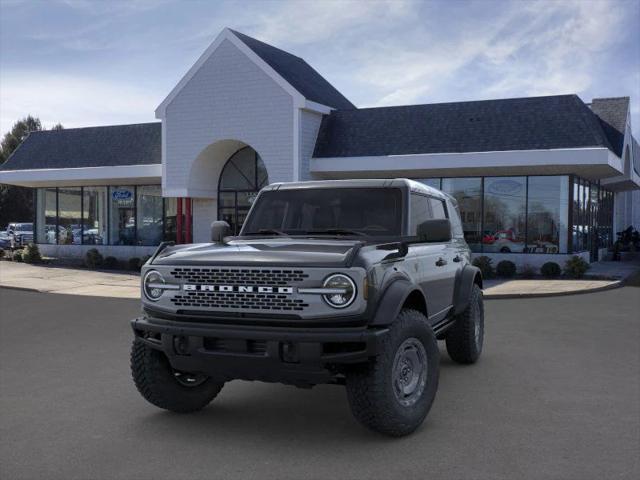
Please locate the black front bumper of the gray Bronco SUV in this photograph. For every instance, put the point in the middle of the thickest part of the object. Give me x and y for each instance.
(297, 355)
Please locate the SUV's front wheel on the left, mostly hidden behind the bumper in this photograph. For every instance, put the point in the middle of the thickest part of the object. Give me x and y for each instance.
(167, 388)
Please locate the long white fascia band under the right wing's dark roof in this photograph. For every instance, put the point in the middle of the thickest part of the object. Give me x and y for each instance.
(457, 162)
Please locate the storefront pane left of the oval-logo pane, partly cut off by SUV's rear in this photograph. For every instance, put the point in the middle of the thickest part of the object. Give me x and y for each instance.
(468, 193)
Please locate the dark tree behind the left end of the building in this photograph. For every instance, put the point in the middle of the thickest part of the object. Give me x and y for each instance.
(16, 203)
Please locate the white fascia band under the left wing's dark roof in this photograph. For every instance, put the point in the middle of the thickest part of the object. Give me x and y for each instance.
(137, 174)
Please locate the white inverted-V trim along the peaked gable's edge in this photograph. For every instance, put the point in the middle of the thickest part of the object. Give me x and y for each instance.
(227, 34)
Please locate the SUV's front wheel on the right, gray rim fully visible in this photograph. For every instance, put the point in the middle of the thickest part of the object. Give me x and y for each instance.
(394, 392)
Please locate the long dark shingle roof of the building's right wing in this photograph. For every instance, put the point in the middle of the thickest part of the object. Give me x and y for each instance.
(532, 123)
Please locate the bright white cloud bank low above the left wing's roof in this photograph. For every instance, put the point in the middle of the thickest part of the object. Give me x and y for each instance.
(72, 100)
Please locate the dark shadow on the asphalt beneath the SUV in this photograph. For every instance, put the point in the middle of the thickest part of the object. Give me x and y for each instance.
(255, 410)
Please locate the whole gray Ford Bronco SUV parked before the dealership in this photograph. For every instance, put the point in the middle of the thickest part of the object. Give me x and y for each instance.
(349, 282)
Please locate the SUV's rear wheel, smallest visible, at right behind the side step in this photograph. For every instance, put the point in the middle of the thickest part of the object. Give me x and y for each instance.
(465, 338)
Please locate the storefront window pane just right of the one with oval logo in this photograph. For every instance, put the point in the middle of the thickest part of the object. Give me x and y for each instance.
(547, 215)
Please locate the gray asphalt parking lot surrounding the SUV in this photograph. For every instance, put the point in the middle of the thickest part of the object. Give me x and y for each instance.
(555, 395)
